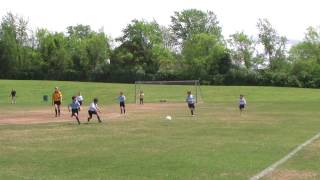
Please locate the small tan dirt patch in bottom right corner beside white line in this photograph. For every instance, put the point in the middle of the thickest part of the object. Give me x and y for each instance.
(293, 175)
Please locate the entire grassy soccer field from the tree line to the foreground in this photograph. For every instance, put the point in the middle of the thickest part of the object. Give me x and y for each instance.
(217, 143)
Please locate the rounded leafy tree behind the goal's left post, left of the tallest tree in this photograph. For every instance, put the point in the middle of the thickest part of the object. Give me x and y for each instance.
(142, 48)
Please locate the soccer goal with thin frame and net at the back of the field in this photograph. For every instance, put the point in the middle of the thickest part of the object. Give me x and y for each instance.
(167, 91)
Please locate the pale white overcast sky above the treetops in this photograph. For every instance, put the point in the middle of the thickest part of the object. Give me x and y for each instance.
(289, 17)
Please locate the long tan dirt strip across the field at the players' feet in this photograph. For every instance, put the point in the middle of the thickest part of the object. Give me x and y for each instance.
(46, 114)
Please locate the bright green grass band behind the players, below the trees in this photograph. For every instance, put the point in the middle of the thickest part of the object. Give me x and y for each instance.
(30, 93)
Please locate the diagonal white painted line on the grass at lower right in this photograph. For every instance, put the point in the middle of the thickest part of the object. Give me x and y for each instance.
(271, 168)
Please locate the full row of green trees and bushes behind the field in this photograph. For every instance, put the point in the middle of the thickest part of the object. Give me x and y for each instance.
(191, 47)
